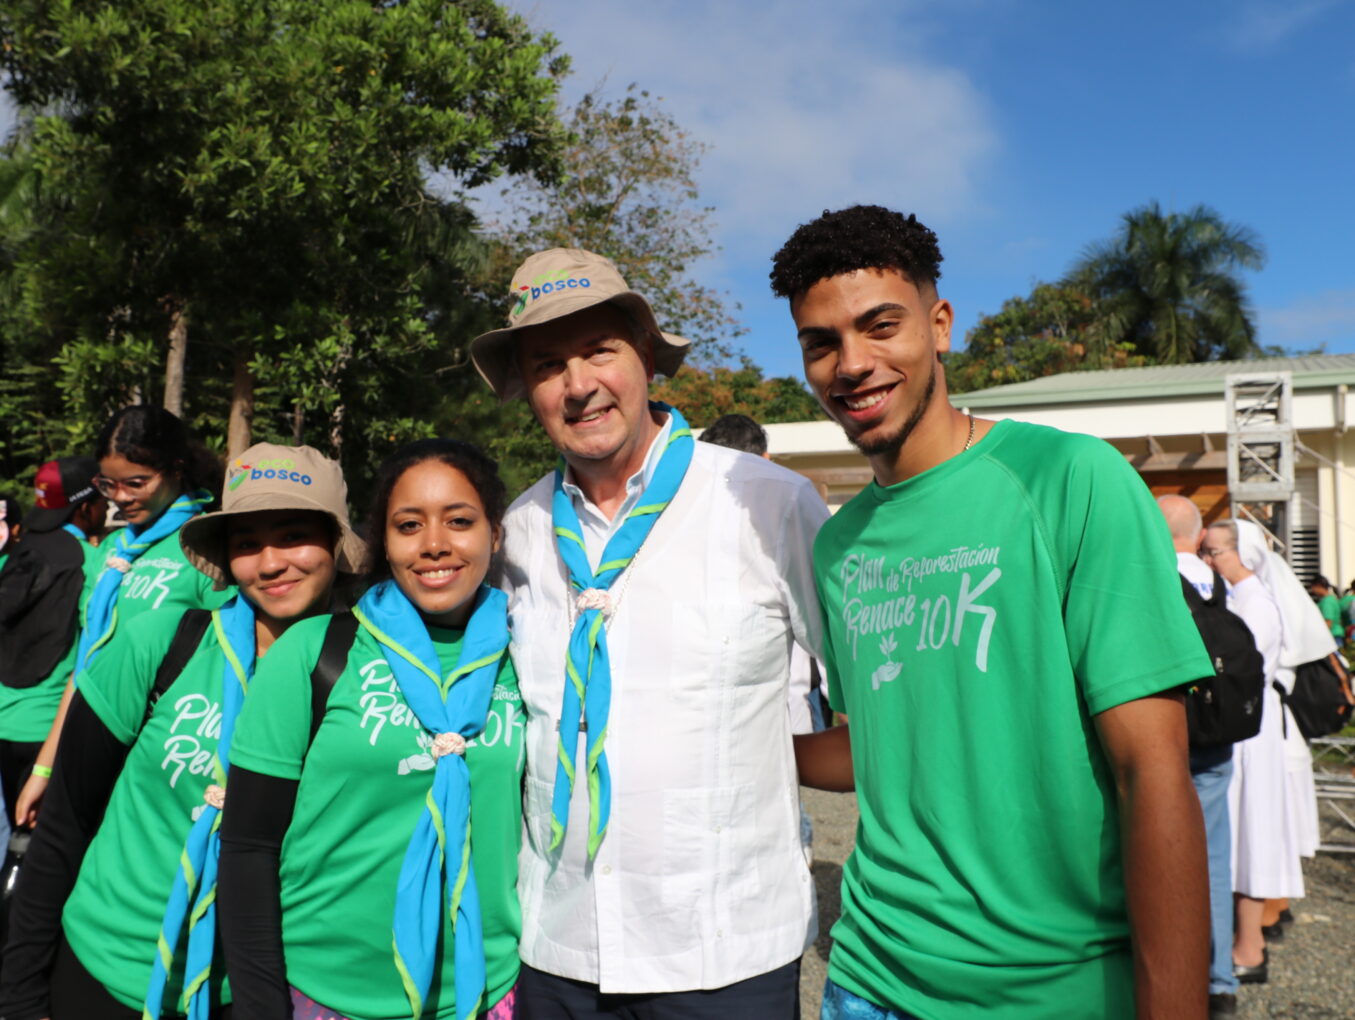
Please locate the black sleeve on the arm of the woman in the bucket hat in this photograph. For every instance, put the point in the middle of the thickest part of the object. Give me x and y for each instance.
(90, 759)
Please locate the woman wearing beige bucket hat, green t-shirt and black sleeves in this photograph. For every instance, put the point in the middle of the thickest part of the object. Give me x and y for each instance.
(114, 914)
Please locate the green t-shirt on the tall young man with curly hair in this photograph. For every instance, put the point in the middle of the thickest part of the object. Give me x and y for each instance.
(978, 617)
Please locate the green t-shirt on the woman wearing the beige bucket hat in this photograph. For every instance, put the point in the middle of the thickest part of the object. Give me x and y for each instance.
(114, 914)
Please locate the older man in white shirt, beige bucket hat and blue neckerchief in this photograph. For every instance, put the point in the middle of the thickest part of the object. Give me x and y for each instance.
(656, 591)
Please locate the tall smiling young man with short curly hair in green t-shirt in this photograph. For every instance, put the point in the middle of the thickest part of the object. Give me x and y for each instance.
(1006, 633)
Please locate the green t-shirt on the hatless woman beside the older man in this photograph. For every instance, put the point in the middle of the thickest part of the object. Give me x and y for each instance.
(364, 786)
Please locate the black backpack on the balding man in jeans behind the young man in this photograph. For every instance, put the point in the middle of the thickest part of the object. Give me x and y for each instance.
(1227, 708)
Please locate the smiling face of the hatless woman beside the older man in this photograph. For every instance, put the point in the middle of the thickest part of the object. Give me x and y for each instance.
(440, 541)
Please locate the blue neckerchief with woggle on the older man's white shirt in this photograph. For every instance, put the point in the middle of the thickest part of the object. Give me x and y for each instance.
(587, 667)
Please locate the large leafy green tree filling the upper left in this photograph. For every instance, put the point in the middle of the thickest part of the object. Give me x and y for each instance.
(250, 175)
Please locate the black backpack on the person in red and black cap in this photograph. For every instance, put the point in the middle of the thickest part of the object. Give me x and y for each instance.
(40, 606)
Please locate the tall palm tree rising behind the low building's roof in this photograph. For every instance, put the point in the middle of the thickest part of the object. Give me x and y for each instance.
(1169, 285)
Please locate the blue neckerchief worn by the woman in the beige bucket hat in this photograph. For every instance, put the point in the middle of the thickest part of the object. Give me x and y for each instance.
(196, 883)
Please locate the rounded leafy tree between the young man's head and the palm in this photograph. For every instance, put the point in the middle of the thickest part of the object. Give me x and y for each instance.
(1055, 330)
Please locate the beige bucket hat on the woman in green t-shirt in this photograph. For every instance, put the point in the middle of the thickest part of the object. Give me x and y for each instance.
(273, 477)
